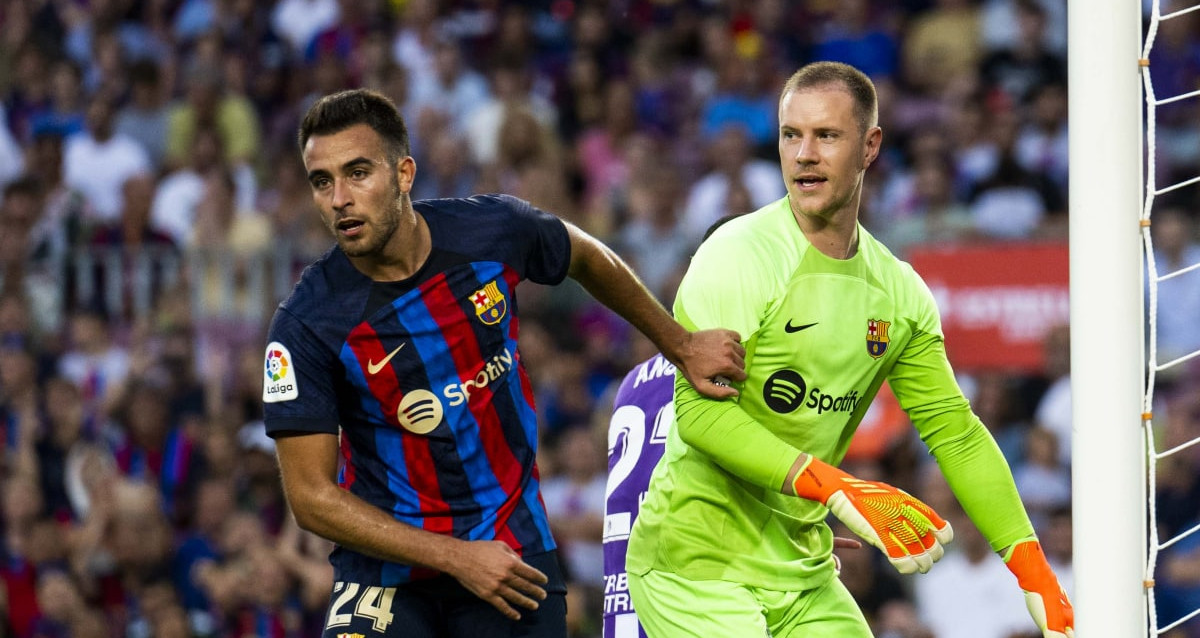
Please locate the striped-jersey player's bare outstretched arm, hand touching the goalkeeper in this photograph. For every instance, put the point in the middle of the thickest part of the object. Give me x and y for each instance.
(704, 357)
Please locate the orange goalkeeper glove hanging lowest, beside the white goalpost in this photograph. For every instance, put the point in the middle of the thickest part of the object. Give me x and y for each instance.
(1045, 597)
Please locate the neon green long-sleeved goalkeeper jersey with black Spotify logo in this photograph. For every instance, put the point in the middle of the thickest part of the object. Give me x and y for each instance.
(821, 335)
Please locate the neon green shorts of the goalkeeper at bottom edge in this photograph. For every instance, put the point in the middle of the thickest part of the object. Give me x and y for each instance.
(670, 606)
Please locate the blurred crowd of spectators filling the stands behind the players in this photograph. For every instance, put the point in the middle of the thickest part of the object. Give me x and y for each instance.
(155, 212)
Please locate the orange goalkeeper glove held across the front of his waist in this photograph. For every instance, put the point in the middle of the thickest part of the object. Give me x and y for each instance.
(905, 529)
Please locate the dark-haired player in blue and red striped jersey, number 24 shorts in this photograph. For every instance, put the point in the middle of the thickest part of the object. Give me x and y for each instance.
(404, 419)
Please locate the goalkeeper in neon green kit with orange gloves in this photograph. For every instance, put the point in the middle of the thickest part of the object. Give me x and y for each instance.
(731, 540)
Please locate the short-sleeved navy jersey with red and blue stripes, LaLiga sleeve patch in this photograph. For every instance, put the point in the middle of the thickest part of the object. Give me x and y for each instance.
(423, 378)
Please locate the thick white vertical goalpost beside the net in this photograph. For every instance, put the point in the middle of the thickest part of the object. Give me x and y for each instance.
(1109, 499)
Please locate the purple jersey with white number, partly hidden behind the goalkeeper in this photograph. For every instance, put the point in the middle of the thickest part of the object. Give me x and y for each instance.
(643, 416)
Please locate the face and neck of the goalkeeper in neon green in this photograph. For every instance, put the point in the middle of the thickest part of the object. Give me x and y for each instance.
(824, 154)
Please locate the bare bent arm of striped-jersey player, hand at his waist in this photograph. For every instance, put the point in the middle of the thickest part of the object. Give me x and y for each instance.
(490, 570)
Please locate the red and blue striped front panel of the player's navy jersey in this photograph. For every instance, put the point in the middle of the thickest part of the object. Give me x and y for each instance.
(475, 476)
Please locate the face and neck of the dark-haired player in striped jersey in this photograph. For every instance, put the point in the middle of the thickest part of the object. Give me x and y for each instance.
(365, 202)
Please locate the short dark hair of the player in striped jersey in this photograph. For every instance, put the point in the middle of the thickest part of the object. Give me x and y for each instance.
(344, 110)
